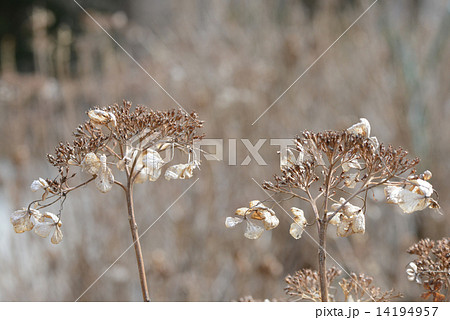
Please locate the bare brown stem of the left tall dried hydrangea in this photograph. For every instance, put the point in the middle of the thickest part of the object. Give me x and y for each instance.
(137, 244)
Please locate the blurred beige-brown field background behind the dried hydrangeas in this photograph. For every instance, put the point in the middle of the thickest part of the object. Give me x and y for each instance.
(228, 60)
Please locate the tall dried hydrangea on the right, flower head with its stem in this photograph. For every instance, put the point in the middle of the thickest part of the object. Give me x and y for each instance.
(329, 170)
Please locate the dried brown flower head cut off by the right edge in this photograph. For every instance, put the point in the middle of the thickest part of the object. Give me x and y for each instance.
(432, 268)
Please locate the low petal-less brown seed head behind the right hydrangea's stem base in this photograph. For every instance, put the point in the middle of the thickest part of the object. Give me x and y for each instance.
(305, 285)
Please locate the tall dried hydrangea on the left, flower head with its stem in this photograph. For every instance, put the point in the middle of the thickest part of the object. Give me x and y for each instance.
(130, 139)
